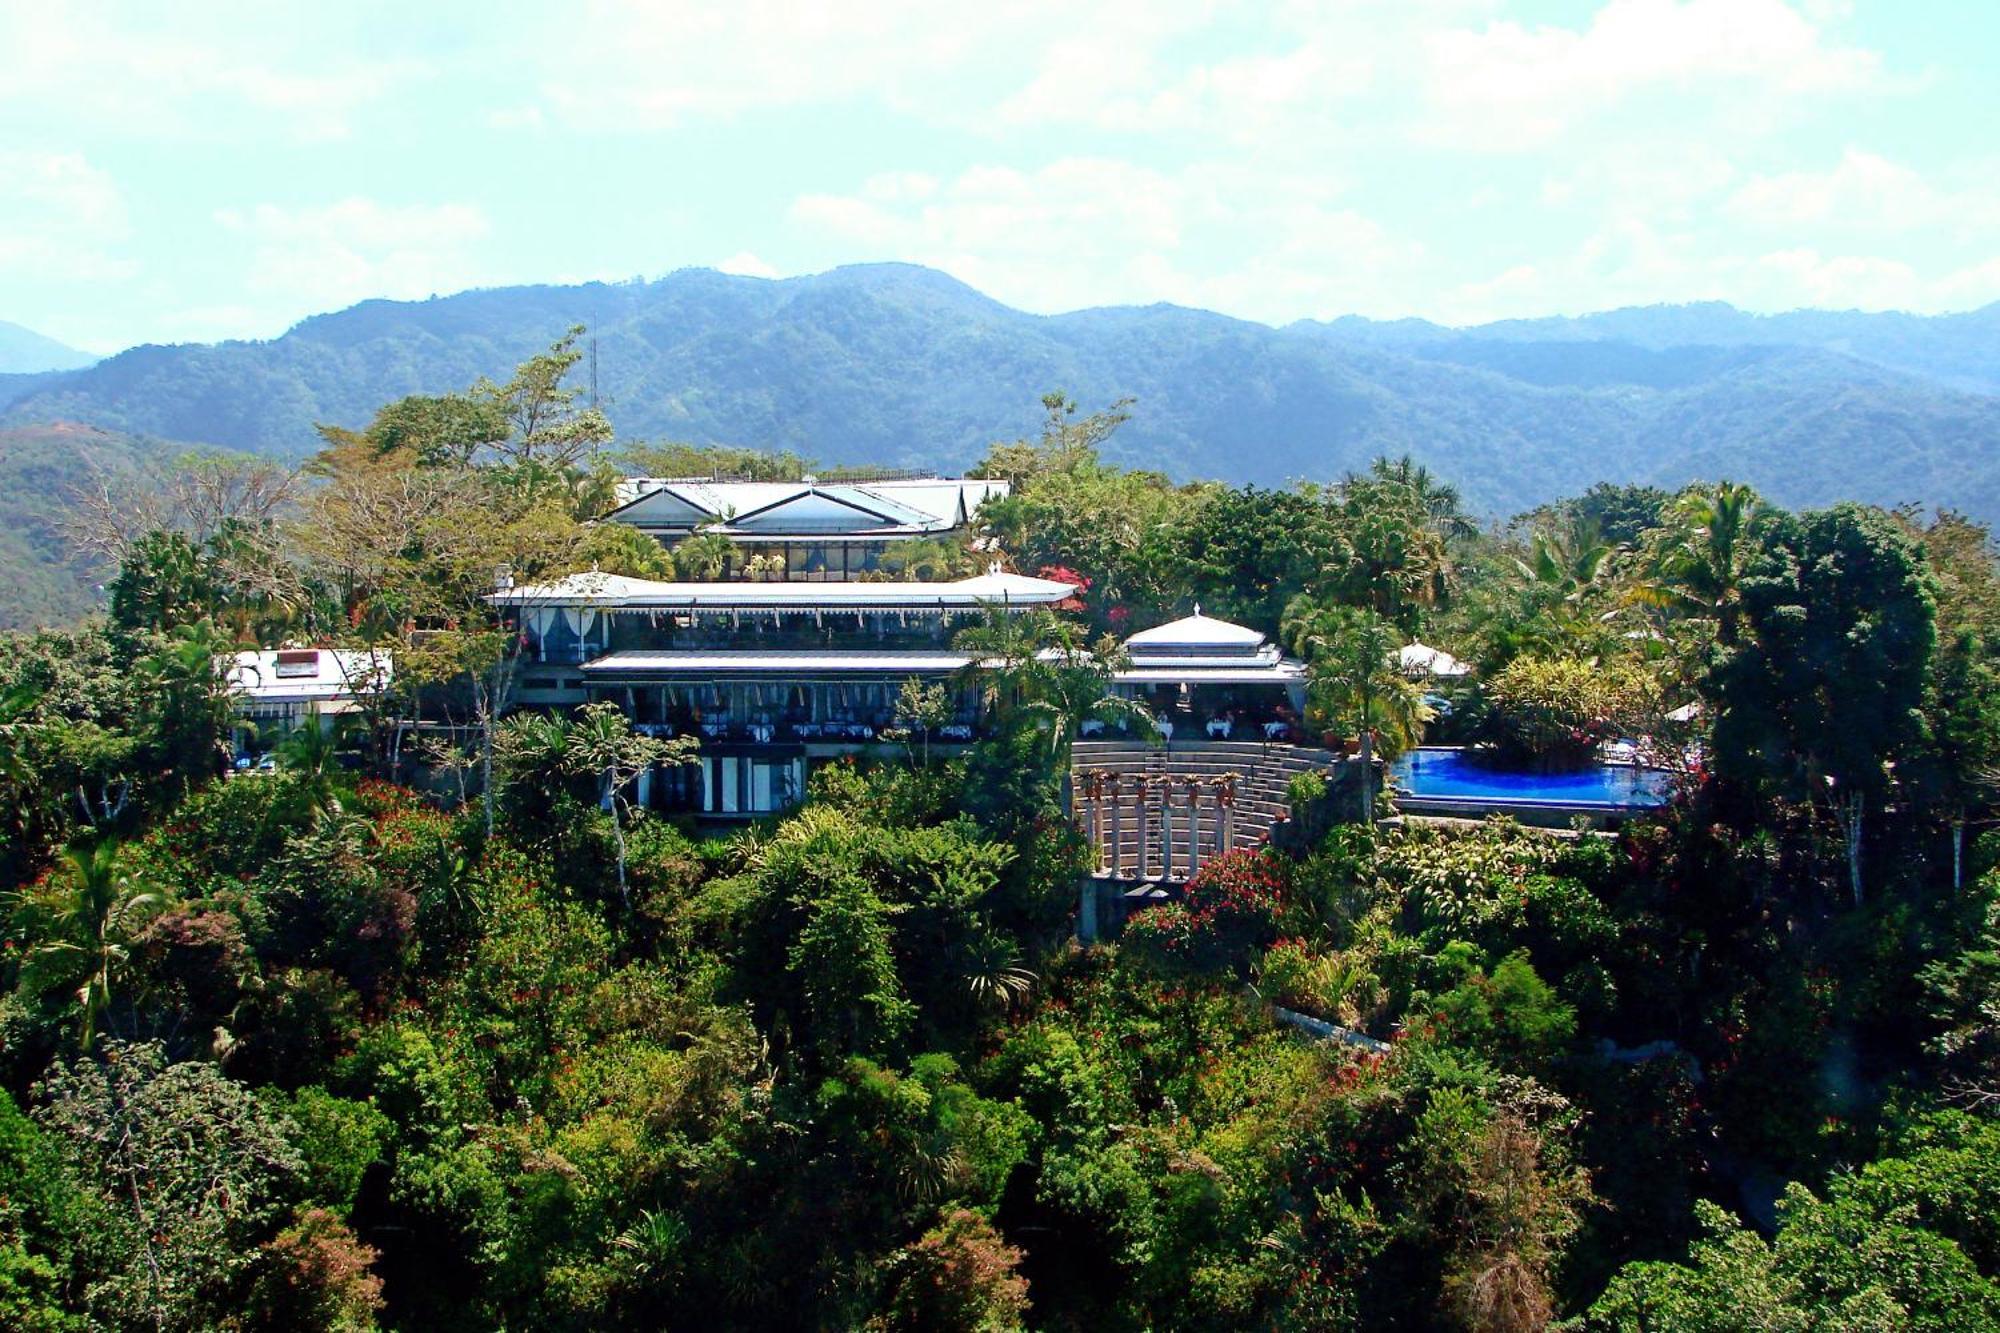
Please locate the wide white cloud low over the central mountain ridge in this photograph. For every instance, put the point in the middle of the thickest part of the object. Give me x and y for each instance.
(1095, 231)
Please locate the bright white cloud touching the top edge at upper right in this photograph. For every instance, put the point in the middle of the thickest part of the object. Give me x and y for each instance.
(1509, 87)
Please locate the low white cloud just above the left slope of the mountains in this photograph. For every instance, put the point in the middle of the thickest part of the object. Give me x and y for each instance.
(325, 257)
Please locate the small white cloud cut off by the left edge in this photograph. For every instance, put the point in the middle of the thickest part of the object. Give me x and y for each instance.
(61, 219)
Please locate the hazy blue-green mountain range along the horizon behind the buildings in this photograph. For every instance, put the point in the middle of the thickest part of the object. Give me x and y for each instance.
(903, 365)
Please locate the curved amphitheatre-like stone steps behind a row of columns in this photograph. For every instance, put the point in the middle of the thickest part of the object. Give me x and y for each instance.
(1261, 772)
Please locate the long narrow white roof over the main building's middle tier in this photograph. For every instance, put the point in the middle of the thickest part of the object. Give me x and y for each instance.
(623, 593)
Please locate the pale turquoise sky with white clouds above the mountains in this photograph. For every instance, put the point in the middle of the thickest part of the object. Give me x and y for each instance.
(221, 171)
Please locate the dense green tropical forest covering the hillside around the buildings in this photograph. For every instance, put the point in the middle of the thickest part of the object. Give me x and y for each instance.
(437, 1030)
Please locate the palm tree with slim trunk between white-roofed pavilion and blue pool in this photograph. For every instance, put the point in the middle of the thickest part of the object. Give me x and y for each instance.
(1357, 680)
